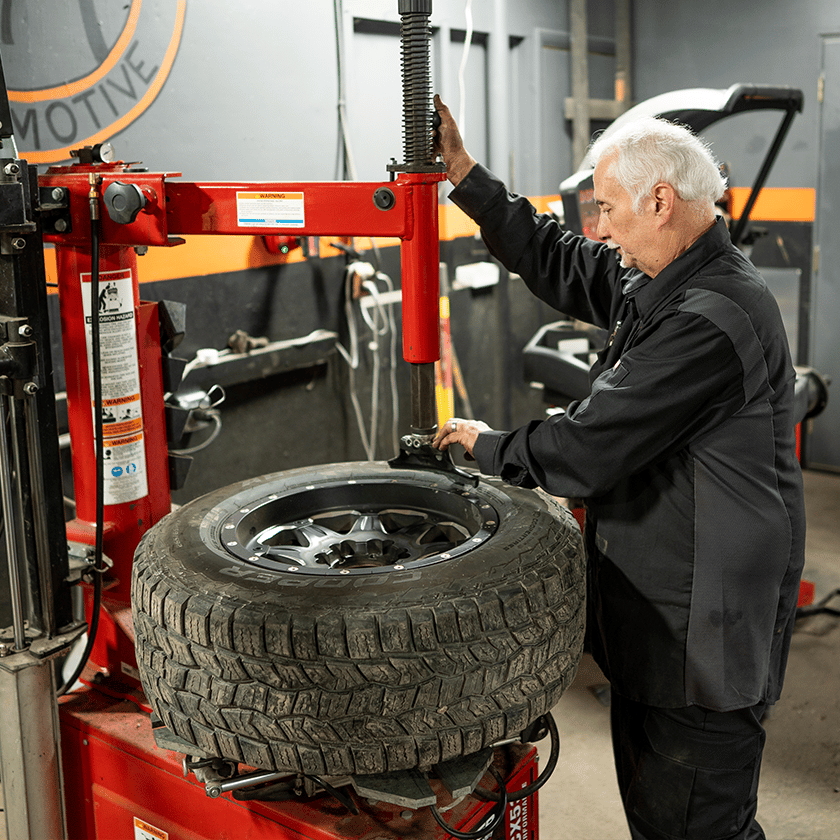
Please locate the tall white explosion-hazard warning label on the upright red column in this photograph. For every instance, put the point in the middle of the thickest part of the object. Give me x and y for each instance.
(122, 419)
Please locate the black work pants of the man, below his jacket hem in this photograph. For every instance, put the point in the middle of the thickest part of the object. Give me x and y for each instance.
(688, 773)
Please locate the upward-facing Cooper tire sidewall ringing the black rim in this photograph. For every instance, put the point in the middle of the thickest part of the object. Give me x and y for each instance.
(201, 563)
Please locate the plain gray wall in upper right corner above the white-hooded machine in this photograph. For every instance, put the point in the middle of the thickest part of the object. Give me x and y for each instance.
(769, 41)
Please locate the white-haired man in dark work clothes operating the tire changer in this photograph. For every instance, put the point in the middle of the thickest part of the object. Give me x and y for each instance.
(684, 453)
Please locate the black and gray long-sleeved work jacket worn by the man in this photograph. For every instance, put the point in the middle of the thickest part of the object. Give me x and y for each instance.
(684, 452)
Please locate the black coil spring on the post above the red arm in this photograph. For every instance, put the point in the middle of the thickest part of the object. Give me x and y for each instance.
(415, 34)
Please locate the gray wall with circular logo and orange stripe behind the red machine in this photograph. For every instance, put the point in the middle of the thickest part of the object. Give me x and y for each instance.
(249, 91)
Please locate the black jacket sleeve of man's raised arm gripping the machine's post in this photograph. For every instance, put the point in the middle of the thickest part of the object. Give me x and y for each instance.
(569, 272)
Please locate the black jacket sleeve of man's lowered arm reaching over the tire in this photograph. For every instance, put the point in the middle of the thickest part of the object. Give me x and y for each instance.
(666, 391)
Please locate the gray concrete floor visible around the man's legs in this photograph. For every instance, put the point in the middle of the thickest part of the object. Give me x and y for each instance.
(799, 795)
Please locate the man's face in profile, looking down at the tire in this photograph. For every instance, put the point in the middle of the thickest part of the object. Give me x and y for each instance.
(631, 233)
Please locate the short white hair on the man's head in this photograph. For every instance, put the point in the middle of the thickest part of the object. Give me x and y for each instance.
(652, 151)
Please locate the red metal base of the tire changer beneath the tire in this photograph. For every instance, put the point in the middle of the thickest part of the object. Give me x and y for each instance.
(120, 784)
